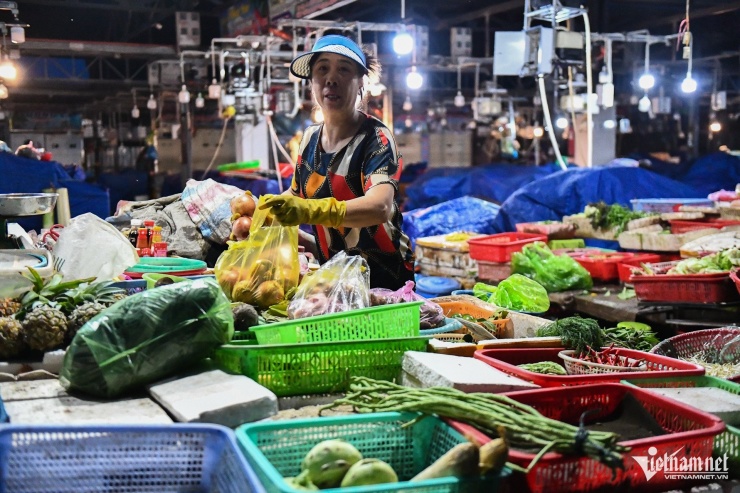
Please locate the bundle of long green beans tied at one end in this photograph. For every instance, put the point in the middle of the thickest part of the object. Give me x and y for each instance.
(525, 426)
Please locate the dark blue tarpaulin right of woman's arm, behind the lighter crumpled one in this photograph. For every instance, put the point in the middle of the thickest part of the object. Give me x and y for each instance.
(493, 182)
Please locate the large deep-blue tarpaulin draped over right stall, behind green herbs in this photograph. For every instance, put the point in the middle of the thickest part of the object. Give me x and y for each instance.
(568, 192)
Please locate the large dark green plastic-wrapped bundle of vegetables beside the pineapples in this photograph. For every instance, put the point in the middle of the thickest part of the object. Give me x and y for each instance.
(146, 337)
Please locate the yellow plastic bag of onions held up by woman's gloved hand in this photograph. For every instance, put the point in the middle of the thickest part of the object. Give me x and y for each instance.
(262, 269)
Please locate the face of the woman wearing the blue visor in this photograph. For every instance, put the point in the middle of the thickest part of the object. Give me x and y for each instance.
(335, 82)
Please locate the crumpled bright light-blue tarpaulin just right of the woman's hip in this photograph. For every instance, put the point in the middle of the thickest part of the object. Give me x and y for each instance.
(461, 214)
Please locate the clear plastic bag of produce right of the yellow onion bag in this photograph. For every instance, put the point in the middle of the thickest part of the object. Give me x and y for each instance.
(341, 284)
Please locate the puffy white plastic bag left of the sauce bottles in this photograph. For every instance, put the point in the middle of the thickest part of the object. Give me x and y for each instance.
(91, 247)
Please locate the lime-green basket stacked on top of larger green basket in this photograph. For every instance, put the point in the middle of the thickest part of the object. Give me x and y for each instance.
(380, 322)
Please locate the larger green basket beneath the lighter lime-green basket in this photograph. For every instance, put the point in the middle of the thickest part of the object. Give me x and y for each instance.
(316, 367)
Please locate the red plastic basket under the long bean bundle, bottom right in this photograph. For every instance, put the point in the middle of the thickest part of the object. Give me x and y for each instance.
(689, 433)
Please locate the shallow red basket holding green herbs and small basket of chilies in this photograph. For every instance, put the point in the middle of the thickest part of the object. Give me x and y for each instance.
(507, 360)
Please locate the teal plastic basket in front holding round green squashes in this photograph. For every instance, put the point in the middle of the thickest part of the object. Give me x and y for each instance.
(275, 450)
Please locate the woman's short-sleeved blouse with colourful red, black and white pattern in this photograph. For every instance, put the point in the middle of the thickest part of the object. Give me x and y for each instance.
(369, 159)
